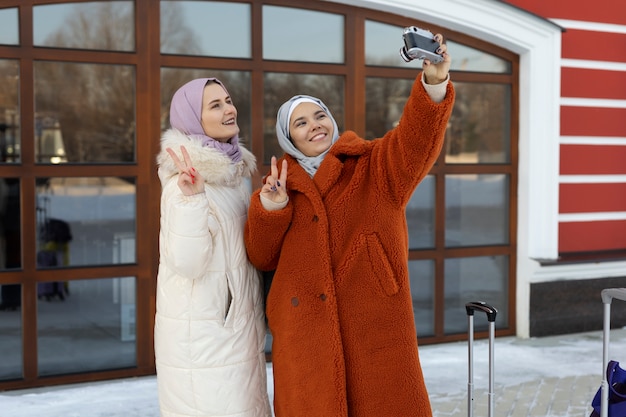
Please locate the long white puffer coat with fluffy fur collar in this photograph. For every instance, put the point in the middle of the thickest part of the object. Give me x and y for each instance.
(209, 335)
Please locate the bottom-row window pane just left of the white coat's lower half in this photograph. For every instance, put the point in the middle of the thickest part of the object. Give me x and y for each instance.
(92, 328)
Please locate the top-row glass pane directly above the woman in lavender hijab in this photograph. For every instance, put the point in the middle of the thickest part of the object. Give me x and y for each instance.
(192, 27)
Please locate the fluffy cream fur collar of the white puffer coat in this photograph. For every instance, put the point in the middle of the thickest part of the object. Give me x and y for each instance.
(214, 166)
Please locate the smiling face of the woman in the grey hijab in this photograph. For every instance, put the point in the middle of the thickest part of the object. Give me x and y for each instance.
(310, 129)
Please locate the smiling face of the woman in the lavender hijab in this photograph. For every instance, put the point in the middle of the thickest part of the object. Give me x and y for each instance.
(219, 115)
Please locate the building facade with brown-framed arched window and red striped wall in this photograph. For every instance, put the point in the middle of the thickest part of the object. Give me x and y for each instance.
(524, 209)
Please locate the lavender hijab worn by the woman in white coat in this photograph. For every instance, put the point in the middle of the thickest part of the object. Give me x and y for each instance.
(186, 116)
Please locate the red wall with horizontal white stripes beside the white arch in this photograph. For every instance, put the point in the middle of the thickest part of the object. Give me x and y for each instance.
(592, 192)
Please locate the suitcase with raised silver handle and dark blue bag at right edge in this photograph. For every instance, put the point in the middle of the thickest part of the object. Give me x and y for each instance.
(610, 399)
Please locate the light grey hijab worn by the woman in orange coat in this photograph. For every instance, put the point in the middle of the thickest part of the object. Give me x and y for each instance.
(309, 163)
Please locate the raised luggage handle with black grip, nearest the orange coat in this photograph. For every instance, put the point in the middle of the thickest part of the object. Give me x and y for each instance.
(491, 318)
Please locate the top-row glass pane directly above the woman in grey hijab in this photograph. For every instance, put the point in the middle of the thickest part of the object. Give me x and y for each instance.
(302, 35)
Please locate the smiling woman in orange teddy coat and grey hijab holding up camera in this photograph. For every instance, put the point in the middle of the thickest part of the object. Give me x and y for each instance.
(334, 229)
